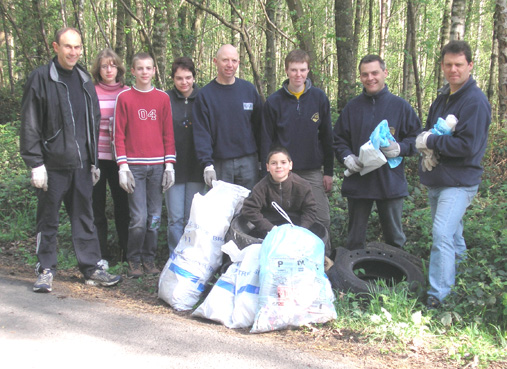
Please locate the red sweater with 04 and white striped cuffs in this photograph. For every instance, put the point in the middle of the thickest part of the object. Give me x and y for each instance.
(143, 128)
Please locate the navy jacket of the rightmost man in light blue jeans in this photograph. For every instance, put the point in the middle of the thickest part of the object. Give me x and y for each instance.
(462, 152)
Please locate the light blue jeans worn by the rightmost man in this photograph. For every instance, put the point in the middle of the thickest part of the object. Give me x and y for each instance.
(448, 205)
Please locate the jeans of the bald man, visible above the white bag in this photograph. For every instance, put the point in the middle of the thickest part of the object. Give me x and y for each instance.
(243, 171)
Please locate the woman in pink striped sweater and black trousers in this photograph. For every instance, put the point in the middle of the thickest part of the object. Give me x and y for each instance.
(108, 73)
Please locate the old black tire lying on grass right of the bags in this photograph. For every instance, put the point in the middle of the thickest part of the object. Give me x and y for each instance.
(377, 265)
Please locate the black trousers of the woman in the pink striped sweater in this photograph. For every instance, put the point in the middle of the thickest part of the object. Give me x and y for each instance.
(109, 175)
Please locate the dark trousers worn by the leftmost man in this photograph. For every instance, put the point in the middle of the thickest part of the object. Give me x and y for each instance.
(74, 189)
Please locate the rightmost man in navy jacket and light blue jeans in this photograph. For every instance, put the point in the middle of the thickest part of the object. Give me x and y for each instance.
(453, 181)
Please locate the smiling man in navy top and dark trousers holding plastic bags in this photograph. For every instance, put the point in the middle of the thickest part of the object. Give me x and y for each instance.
(385, 186)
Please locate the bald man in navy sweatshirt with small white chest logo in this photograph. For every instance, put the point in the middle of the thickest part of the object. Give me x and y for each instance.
(227, 118)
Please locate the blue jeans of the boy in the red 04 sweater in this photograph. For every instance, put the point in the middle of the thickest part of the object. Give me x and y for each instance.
(145, 205)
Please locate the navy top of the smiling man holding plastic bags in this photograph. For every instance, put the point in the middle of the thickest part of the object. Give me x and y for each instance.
(354, 126)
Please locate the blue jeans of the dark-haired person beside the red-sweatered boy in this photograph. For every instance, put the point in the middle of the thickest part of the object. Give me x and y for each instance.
(178, 201)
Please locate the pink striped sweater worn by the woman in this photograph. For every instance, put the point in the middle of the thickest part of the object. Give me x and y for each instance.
(107, 99)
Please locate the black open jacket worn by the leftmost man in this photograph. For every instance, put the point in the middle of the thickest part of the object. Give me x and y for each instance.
(47, 125)
